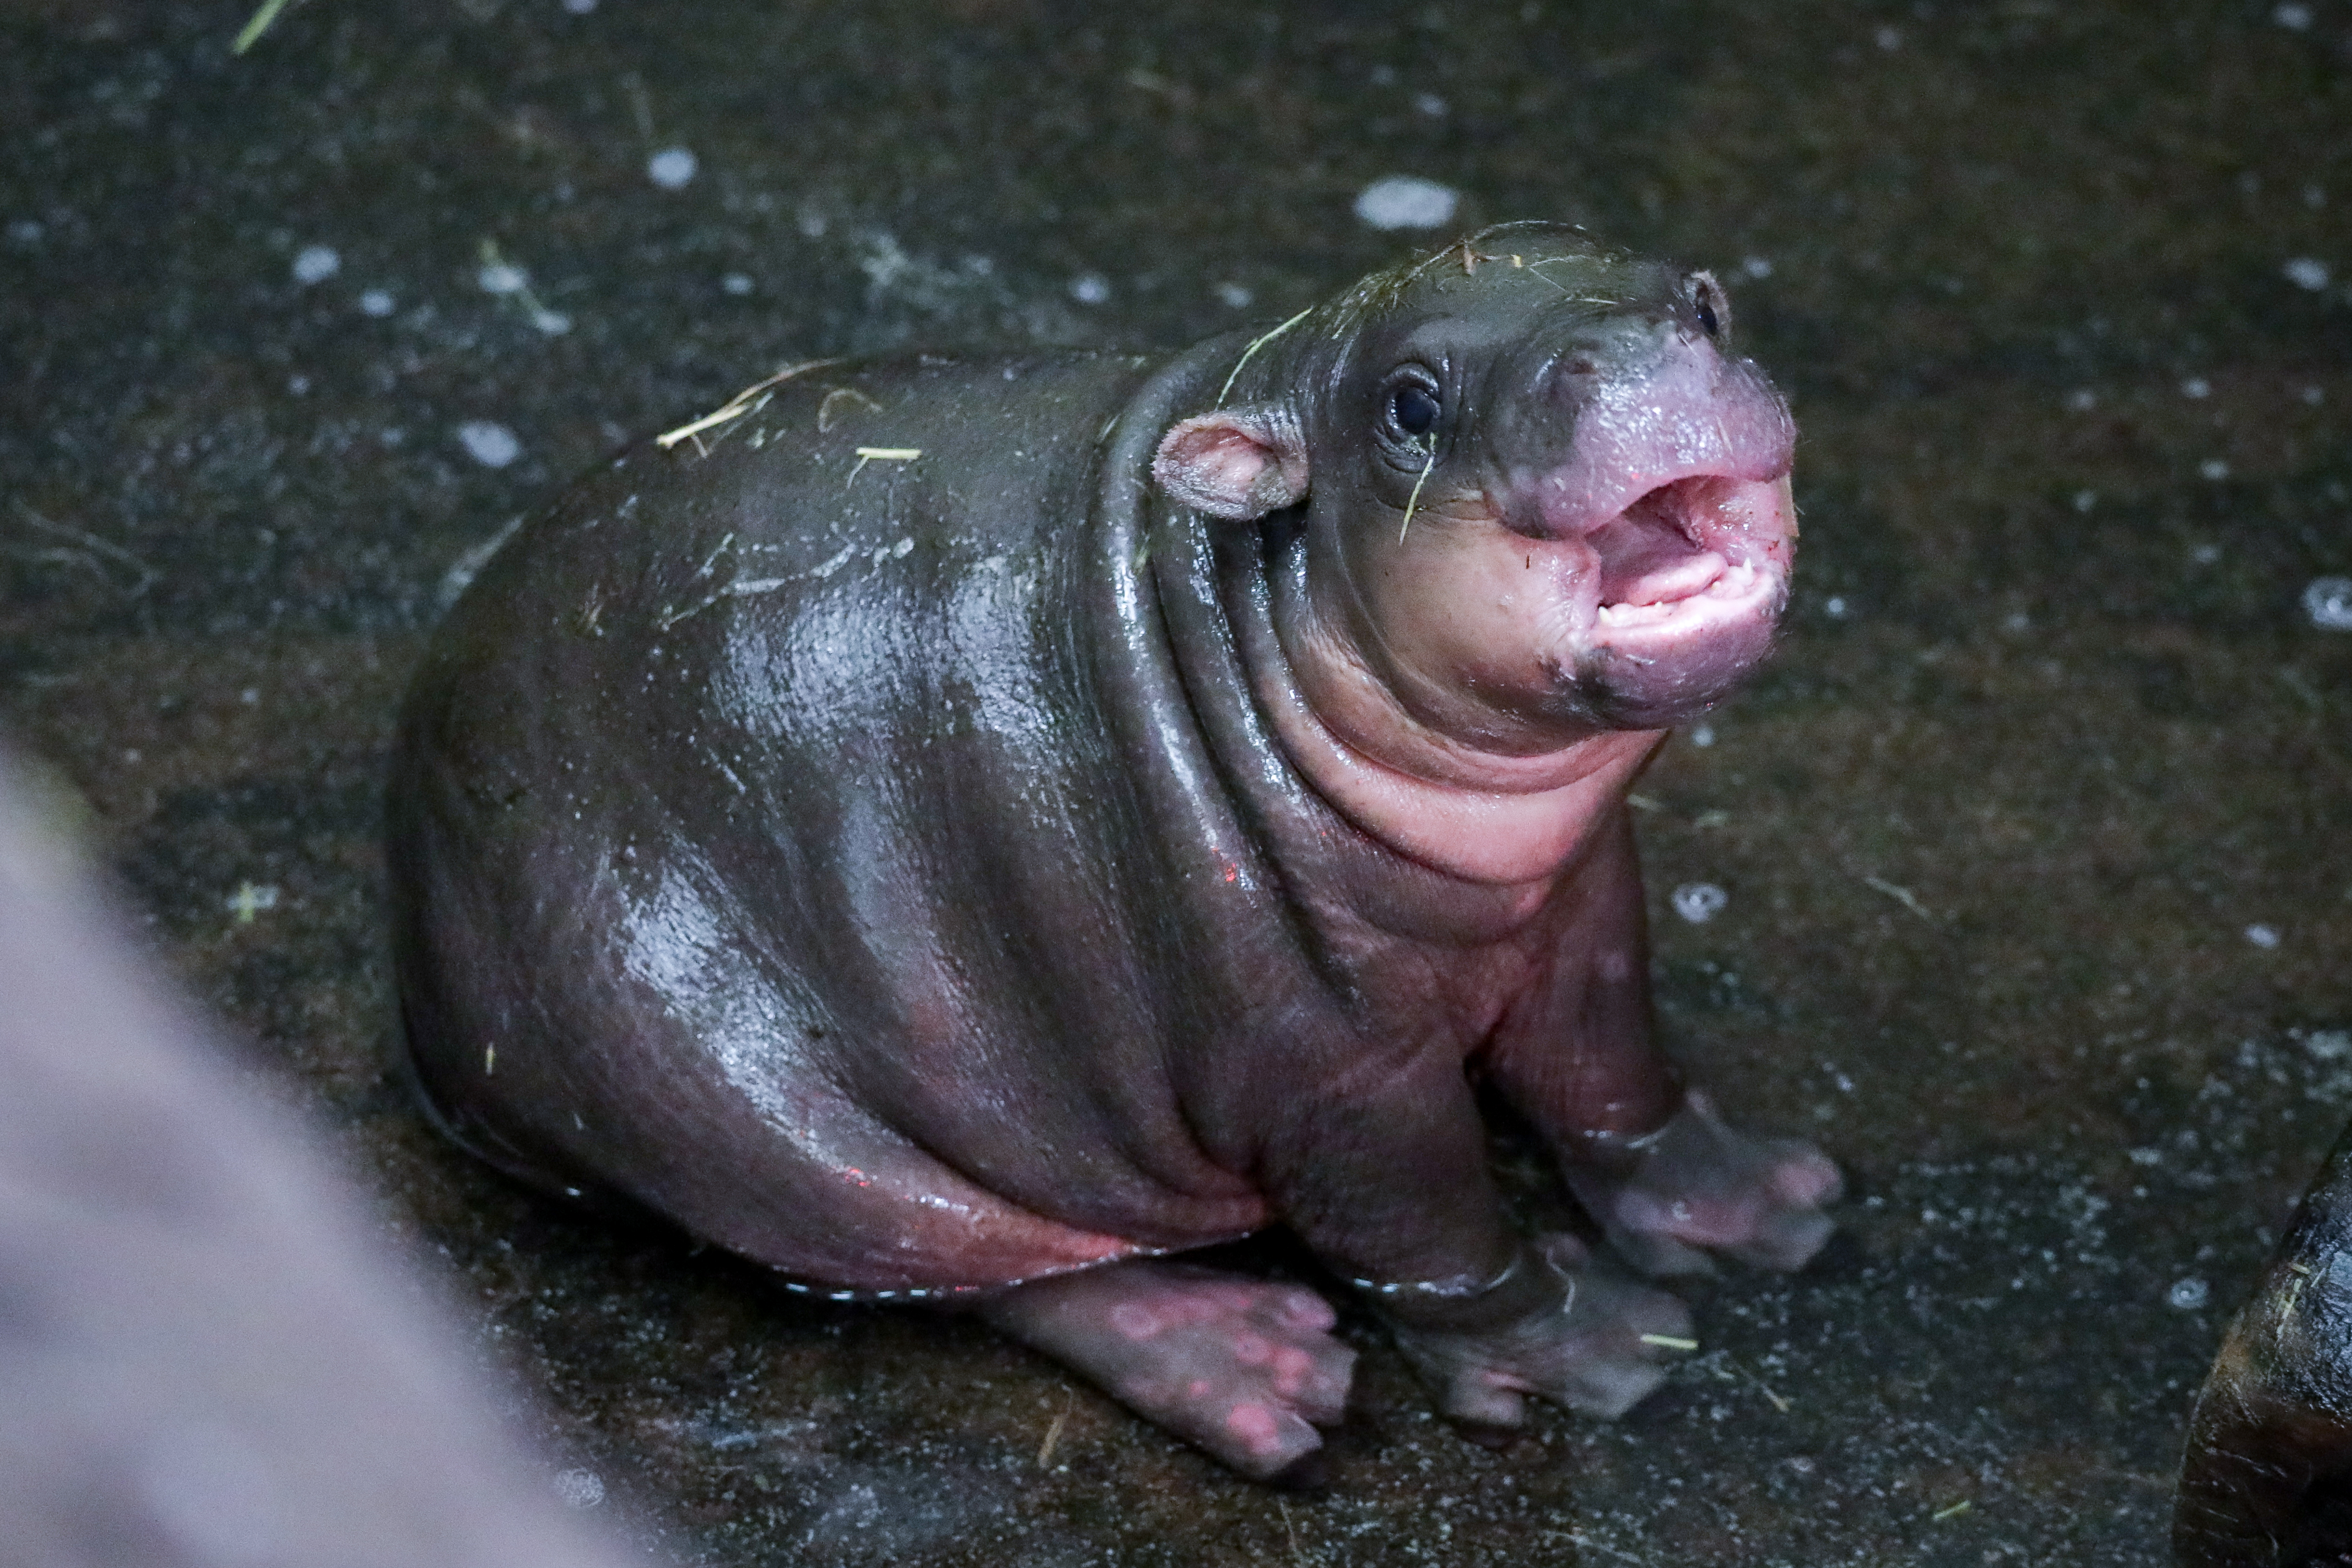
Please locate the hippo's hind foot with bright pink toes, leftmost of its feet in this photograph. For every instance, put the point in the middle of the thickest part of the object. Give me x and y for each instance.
(1238, 1367)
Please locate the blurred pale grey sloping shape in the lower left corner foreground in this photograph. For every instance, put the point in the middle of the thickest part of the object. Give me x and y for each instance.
(206, 1355)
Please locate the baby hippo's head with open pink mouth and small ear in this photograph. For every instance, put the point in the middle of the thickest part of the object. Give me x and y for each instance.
(1542, 495)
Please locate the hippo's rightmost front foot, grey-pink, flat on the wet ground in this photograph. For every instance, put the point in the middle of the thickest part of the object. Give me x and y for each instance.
(1702, 1184)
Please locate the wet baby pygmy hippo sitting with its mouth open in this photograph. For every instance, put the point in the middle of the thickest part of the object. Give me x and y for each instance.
(965, 829)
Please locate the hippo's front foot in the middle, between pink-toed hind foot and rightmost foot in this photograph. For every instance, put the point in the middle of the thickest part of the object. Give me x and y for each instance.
(1596, 1353)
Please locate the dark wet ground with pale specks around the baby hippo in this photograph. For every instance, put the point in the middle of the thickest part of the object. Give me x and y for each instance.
(2038, 838)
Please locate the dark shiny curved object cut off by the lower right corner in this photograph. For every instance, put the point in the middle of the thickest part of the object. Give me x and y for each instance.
(2269, 1470)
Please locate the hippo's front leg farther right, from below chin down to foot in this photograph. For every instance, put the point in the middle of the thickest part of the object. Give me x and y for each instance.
(1659, 1170)
